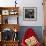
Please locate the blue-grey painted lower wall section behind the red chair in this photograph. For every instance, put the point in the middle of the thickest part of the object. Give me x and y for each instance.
(37, 29)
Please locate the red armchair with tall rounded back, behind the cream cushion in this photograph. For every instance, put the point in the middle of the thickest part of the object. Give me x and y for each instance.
(28, 34)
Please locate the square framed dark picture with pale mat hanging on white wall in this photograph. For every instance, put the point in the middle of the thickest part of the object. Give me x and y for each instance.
(30, 13)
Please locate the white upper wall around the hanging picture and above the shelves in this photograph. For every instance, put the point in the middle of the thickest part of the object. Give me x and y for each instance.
(26, 3)
